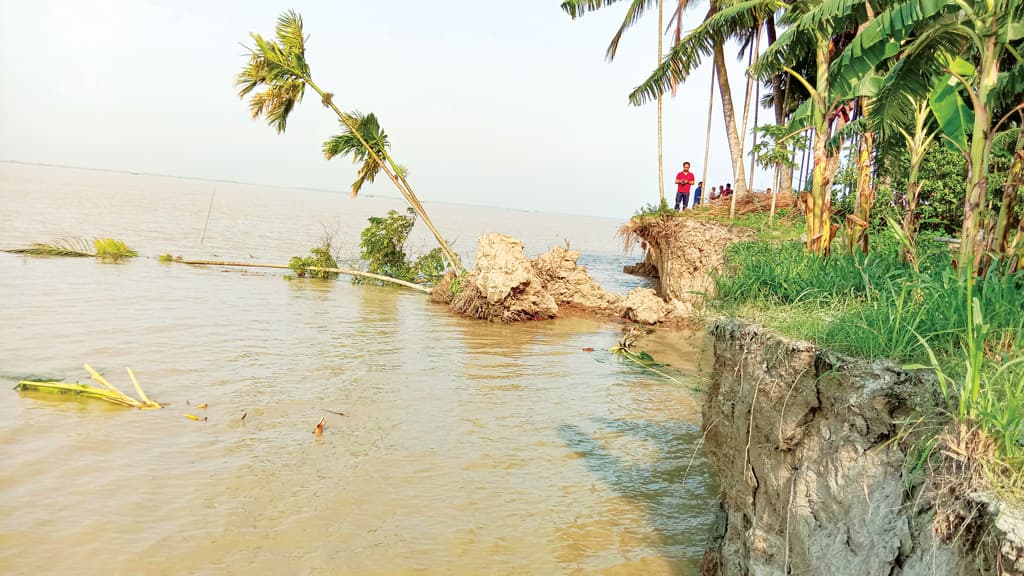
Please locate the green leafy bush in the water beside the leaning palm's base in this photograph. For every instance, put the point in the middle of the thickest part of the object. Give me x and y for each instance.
(383, 249)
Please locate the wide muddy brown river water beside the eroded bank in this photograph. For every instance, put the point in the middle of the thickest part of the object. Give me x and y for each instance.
(465, 448)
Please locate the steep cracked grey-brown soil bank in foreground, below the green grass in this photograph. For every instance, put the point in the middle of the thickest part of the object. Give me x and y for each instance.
(806, 447)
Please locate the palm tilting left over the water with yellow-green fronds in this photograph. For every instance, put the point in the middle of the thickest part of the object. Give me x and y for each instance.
(280, 67)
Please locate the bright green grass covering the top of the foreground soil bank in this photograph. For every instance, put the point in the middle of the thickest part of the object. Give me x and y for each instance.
(970, 334)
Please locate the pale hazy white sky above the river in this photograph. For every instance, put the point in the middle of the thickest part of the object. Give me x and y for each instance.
(487, 103)
